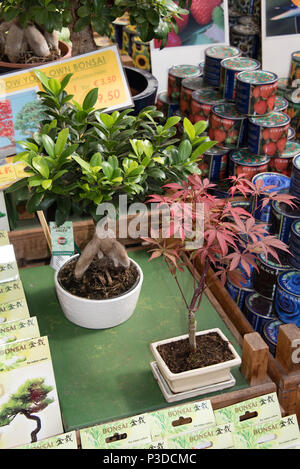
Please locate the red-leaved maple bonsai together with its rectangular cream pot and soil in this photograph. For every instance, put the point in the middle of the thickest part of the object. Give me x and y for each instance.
(230, 238)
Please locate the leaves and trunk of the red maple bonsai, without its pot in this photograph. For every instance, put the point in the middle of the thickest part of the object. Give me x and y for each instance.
(224, 238)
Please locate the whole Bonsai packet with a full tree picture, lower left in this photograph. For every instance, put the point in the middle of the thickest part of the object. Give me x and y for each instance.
(29, 406)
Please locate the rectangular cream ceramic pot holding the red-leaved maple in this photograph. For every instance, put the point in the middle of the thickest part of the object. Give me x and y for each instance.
(188, 380)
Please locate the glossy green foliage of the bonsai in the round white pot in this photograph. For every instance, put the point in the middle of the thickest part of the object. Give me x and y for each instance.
(82, 157)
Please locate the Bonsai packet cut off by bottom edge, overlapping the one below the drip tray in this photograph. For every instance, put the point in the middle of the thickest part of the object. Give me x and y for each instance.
(216, 437)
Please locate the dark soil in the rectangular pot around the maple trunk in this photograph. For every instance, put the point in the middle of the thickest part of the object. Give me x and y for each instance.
(211, 350)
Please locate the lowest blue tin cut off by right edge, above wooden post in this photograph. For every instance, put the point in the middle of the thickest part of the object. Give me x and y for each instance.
(287, 298)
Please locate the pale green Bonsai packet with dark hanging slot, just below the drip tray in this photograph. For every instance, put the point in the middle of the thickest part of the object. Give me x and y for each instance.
(176, 420)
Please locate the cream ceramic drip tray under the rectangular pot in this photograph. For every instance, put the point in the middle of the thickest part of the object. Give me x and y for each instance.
(170, 396)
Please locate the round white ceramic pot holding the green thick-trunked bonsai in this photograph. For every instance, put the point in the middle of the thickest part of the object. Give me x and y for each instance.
(98, 314)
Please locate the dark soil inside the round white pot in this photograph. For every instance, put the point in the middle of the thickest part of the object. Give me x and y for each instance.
(100, 281)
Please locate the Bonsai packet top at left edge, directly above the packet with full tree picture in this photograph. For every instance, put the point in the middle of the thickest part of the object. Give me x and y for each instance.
(19, 330)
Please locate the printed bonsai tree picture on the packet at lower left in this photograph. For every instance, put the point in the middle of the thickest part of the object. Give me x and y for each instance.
(30, 399)
